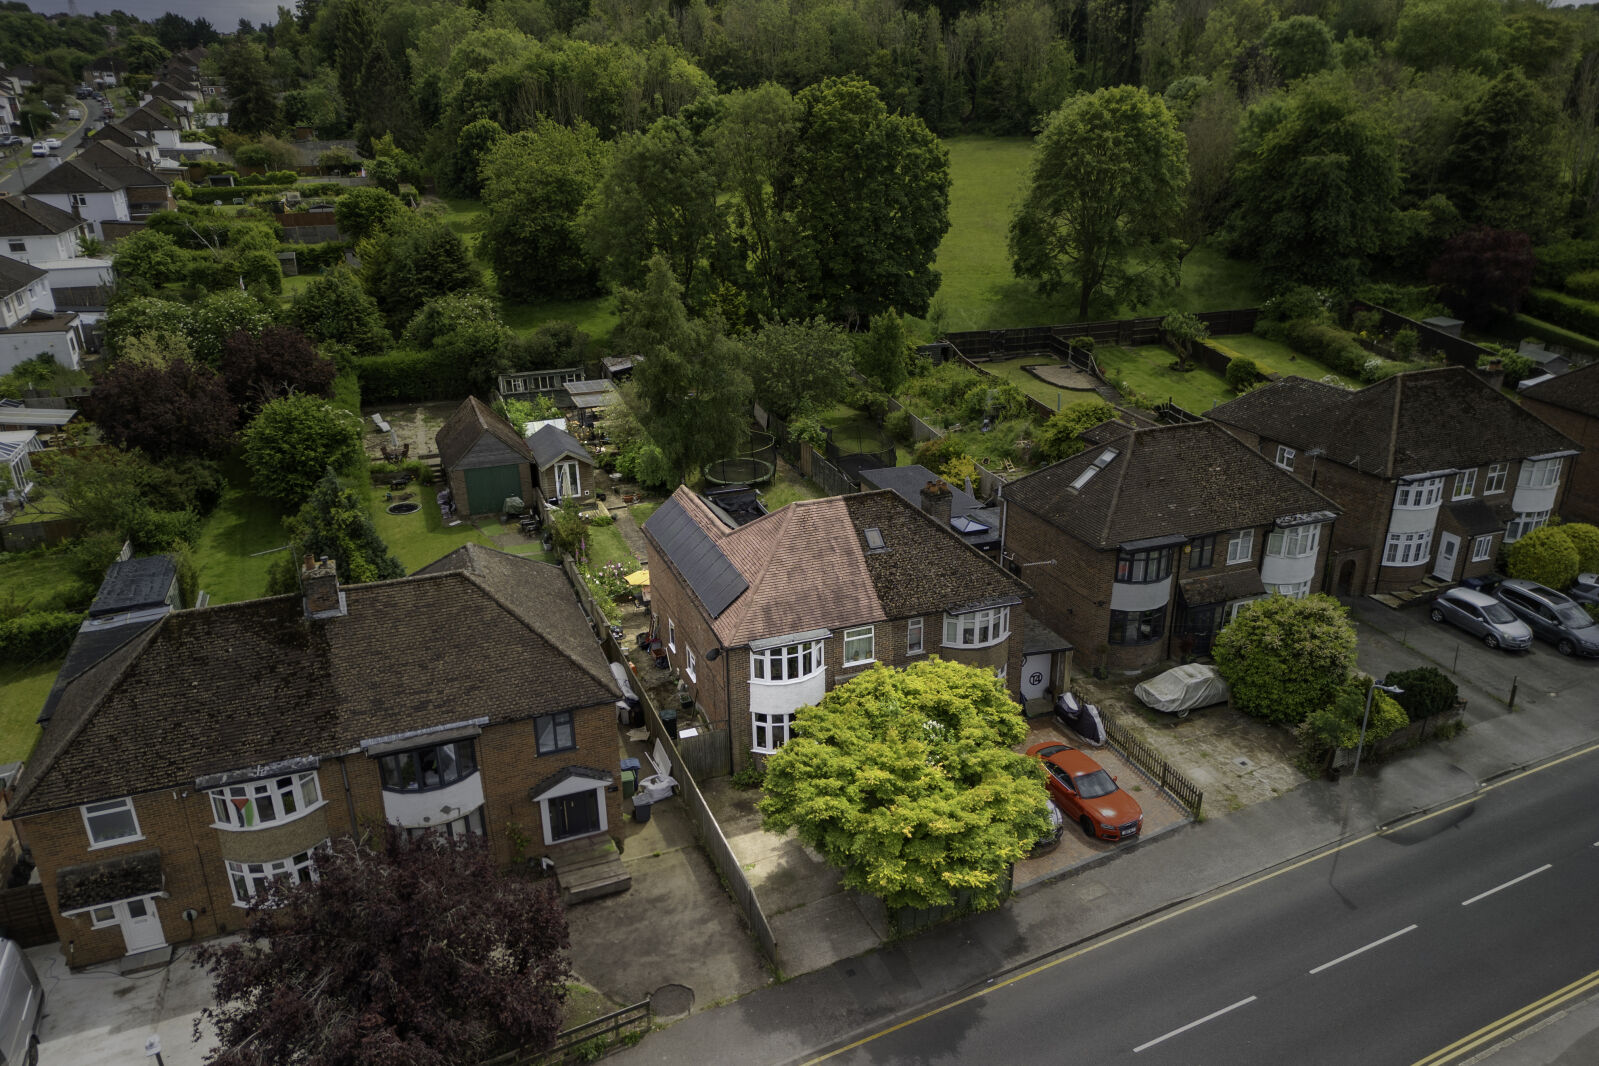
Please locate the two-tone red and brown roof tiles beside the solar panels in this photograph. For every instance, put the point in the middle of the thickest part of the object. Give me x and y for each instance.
(808, 567)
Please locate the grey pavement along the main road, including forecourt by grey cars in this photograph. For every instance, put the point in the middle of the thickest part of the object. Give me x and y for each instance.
(858, 996)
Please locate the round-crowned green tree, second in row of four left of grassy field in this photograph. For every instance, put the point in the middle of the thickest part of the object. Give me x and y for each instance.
(658, 196)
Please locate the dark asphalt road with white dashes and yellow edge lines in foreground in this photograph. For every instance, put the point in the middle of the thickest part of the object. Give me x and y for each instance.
(1384, 952)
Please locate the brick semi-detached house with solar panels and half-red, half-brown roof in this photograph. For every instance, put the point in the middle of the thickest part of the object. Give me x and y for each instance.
(767, 618)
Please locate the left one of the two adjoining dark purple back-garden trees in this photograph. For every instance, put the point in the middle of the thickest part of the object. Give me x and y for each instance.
(178, 408)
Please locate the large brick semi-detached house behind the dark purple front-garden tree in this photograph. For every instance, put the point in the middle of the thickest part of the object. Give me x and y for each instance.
(220, 747)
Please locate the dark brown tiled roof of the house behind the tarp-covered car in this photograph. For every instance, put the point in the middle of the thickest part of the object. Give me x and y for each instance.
(1168, 480)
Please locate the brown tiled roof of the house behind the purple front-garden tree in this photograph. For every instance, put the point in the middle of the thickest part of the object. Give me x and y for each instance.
(252, 683)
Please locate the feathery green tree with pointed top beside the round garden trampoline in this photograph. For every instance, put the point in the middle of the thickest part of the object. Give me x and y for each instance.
(693, 388)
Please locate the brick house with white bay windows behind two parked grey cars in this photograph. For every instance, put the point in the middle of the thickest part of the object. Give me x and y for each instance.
(1434, 471)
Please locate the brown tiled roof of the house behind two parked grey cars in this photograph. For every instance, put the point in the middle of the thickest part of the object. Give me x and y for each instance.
(1410, 424)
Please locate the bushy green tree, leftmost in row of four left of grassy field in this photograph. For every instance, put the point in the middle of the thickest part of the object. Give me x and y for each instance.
(535, 188)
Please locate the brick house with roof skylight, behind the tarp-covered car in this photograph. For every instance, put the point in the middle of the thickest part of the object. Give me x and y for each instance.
(1144, 546)
